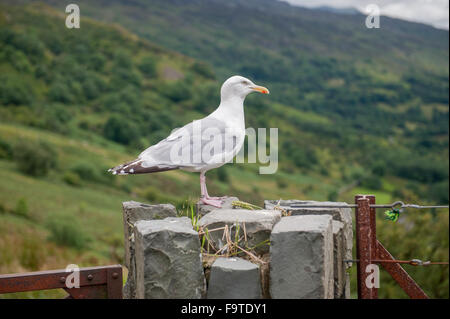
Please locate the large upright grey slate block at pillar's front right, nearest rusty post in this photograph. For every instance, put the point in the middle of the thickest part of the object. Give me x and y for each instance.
(301, 258)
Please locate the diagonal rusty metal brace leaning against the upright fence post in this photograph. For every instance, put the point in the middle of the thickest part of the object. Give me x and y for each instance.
(400, 275)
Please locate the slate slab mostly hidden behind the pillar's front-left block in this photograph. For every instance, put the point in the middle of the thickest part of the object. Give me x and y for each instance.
(132, 212)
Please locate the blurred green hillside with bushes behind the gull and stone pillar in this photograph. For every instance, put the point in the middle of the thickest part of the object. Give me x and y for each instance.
(75, 102)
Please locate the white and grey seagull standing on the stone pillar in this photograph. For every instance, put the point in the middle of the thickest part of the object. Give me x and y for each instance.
(203, 144)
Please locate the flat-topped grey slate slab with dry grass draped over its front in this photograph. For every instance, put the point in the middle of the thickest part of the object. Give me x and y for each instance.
(258, 225)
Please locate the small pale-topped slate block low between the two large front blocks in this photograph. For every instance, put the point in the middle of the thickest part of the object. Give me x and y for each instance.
(234, 278)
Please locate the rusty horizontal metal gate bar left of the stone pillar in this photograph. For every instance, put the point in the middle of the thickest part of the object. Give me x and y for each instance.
(95, 282)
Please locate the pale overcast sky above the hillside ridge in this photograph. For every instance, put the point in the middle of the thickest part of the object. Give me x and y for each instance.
(434, 12)
